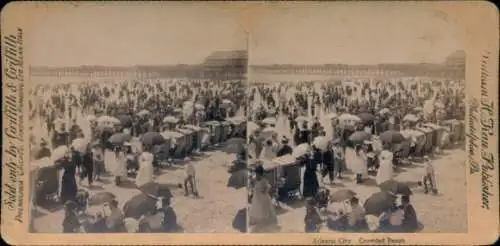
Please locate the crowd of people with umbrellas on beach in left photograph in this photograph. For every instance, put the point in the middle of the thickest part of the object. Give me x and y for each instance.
(91, 129)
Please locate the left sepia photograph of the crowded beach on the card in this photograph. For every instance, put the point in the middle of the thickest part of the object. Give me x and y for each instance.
(137, 120)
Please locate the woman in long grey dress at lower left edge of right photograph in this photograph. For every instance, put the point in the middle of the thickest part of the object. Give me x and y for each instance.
(262, 212)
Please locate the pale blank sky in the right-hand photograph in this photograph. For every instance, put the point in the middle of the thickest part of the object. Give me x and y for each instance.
(353, 34)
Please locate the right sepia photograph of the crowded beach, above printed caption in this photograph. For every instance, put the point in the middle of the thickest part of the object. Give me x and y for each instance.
(356, 120)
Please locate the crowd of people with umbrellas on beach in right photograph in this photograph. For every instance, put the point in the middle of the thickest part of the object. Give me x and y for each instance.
(342, 127)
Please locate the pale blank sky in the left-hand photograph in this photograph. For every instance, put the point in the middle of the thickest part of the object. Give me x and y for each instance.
(139, 34)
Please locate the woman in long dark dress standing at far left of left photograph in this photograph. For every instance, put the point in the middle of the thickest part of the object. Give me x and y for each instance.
(68, 182)
